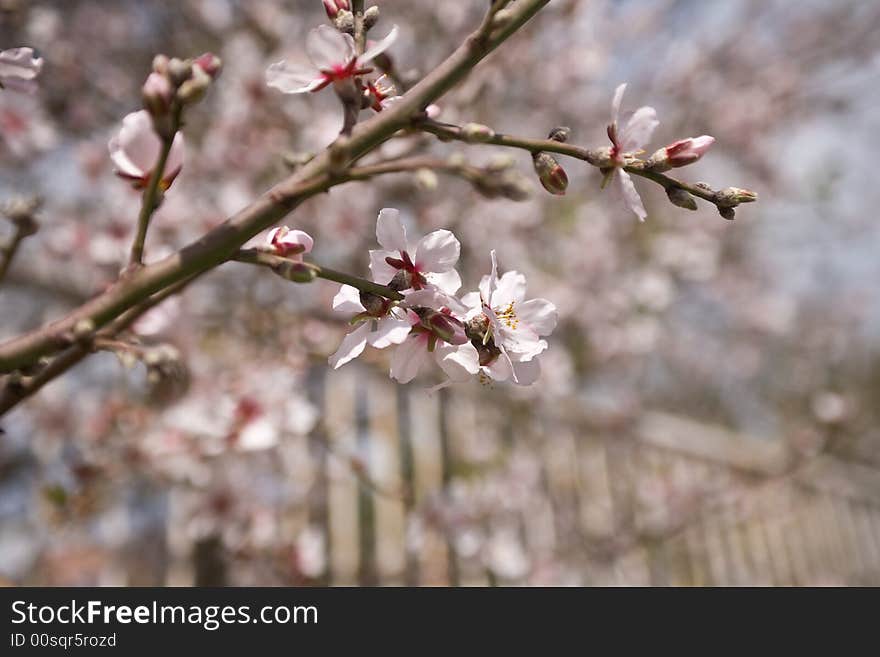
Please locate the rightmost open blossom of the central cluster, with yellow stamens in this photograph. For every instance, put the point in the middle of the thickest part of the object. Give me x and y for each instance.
(512, 327)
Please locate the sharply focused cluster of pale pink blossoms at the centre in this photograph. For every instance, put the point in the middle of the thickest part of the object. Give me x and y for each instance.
(493, 333)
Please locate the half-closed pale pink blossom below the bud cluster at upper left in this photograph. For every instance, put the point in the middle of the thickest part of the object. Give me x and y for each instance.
(136, 148)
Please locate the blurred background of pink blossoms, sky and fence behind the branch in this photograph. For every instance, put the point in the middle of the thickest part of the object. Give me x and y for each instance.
(708, 412)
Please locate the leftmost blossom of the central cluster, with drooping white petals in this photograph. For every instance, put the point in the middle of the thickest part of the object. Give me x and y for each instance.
(385, 326)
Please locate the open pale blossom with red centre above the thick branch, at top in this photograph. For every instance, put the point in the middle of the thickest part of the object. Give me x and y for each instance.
(334, 60)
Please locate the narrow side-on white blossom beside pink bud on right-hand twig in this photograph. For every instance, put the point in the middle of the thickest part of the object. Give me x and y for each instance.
(632, 138)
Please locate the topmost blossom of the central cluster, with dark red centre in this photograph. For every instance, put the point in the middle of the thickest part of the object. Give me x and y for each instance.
(431, 262)
